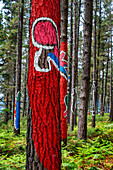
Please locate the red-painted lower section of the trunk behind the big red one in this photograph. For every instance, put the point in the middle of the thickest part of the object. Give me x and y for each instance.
(63, 89)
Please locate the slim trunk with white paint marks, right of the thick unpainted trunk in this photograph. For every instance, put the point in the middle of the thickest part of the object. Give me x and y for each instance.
(94, 70)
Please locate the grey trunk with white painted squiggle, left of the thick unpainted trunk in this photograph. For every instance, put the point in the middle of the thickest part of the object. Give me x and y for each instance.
(74, 70)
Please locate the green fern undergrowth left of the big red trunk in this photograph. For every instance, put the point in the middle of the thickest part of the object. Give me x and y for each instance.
(12, 147)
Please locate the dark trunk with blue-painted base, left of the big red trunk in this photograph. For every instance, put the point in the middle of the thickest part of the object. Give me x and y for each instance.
(18, 64)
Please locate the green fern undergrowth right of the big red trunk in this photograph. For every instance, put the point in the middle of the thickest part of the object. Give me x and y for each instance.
(96, 152)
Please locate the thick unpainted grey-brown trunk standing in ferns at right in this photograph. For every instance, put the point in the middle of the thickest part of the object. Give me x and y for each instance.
(84, 93)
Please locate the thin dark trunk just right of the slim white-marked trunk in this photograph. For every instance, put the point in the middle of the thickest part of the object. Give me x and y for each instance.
(98, 54)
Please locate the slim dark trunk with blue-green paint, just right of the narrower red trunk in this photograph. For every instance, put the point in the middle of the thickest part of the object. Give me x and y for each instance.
(70, 62)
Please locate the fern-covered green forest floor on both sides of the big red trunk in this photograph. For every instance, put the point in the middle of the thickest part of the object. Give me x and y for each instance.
(94, 154)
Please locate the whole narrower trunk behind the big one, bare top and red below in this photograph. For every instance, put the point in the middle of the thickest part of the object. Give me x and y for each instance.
(63, 69)
